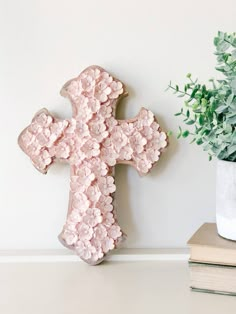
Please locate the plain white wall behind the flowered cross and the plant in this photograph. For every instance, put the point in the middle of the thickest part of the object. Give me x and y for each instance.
(143, 43)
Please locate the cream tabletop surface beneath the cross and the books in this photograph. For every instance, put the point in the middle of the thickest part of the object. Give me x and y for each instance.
(141, 287)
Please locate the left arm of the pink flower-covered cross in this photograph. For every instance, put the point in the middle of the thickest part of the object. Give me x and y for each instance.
(47, 139)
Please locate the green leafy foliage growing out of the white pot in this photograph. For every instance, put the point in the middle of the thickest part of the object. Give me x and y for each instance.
(210, 111)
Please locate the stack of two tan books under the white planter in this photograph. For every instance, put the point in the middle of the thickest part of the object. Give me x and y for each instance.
(212, 261)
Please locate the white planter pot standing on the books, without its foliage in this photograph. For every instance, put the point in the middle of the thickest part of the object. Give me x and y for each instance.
(226, 199)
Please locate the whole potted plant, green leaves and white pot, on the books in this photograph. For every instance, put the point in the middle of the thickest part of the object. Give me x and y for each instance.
(210, 112)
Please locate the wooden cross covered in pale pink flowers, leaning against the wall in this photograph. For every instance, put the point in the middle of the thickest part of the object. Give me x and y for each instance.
(93, 142)
